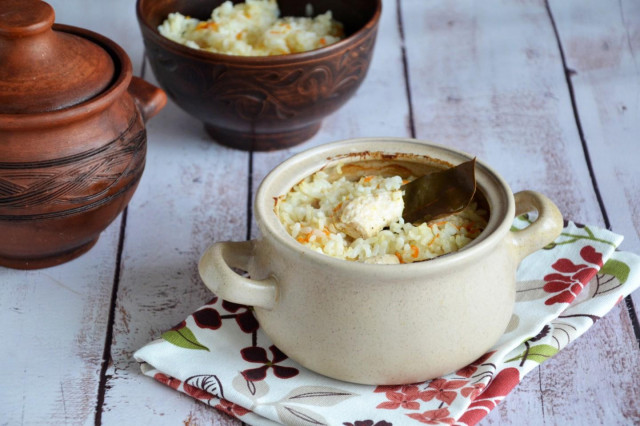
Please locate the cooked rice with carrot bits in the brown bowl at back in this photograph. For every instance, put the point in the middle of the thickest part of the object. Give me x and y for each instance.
(252, 29)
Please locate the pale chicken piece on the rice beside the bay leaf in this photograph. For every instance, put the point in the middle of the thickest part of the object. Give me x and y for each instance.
(366, 215)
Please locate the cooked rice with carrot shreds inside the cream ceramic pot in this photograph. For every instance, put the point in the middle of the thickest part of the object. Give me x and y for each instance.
(309, 212)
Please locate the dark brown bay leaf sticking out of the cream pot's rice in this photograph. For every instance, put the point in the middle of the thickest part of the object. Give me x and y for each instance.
(440, 193)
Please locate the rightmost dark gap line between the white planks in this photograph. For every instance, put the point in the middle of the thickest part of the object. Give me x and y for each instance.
(568, 73)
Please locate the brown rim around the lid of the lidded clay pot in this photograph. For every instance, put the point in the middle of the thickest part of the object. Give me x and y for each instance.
(120, 81)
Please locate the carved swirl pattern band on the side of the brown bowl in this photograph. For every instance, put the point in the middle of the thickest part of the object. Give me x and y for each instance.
(268, 96)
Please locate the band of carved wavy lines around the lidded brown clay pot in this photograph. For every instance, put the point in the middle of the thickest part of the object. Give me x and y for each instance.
(73, 184)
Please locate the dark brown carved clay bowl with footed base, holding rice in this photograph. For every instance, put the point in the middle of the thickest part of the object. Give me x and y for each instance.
(261, 103)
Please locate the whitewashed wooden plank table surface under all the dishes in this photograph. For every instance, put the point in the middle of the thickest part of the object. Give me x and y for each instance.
(547, 92)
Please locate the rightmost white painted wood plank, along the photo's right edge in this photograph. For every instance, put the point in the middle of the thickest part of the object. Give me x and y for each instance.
(601, 44)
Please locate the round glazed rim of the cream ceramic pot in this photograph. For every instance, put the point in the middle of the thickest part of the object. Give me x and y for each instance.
(308, 162)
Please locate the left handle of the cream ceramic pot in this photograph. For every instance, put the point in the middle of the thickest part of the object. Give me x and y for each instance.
(215, 270)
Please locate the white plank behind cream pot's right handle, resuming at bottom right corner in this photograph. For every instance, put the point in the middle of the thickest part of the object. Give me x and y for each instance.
(488, 78)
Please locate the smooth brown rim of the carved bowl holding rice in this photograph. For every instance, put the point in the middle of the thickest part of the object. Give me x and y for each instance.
(257, 60)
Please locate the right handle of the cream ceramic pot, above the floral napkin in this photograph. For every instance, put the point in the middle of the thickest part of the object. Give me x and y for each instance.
(543, 230)
